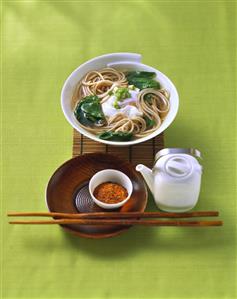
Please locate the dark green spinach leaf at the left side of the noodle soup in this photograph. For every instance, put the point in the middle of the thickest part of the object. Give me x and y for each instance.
(89, 112)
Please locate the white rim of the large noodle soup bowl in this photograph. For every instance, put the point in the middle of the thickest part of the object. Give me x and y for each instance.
(119, 143)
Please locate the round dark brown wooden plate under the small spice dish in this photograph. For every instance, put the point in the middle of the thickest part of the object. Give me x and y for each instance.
(67, 192)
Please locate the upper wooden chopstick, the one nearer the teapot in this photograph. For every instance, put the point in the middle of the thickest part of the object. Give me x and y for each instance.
(114, 215)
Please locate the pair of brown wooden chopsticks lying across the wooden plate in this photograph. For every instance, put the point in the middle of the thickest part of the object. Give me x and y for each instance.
(120, 218)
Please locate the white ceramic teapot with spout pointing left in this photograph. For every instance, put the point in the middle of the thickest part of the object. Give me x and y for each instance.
(175, 179)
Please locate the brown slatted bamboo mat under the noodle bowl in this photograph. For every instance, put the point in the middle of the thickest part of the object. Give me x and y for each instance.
(140, 153)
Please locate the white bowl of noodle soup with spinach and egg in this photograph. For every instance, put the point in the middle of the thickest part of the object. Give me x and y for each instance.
(115, 99)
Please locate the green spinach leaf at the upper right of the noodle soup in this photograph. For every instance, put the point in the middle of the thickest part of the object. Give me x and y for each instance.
(143, 80)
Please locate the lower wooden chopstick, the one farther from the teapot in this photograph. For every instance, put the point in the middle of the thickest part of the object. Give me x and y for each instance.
(124, 222)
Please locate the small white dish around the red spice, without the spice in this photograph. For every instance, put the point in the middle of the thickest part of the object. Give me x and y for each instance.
(114, 176)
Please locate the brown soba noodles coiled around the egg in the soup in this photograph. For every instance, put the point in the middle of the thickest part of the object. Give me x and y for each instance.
(152, 104)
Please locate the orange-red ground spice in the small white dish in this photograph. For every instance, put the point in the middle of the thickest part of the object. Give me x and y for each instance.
(110, 192)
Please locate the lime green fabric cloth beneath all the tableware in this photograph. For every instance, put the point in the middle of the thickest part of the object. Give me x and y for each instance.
(193, 42)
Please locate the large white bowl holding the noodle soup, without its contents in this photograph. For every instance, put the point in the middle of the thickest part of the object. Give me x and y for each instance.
(128, 61)
